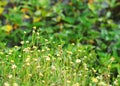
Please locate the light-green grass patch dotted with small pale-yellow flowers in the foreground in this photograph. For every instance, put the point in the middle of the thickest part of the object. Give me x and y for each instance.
(50, 62)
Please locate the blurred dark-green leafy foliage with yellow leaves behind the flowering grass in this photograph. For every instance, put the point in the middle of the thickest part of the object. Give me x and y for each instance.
(90, 22)
